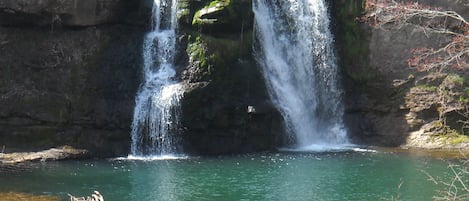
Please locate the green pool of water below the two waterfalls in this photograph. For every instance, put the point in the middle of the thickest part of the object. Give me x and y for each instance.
(273, 176)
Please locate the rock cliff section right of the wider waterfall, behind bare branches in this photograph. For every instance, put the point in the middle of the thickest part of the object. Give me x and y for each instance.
(387, 102)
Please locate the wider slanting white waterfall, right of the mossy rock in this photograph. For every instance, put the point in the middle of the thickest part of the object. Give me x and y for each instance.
(294, 48)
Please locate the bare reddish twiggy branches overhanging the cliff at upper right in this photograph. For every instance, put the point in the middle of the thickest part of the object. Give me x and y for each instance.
(390, 14)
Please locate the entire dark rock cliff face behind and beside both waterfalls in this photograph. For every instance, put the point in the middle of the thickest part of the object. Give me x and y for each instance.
(70, 69)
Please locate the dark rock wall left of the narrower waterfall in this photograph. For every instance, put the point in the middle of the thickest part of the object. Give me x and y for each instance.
(67, 84)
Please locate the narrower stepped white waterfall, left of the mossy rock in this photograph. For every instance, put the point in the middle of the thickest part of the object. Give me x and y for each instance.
(157, 110)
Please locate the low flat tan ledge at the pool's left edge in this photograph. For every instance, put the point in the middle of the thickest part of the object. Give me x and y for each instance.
(61, 153)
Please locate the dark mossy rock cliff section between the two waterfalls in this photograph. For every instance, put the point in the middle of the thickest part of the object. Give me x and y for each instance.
(226, 108)
